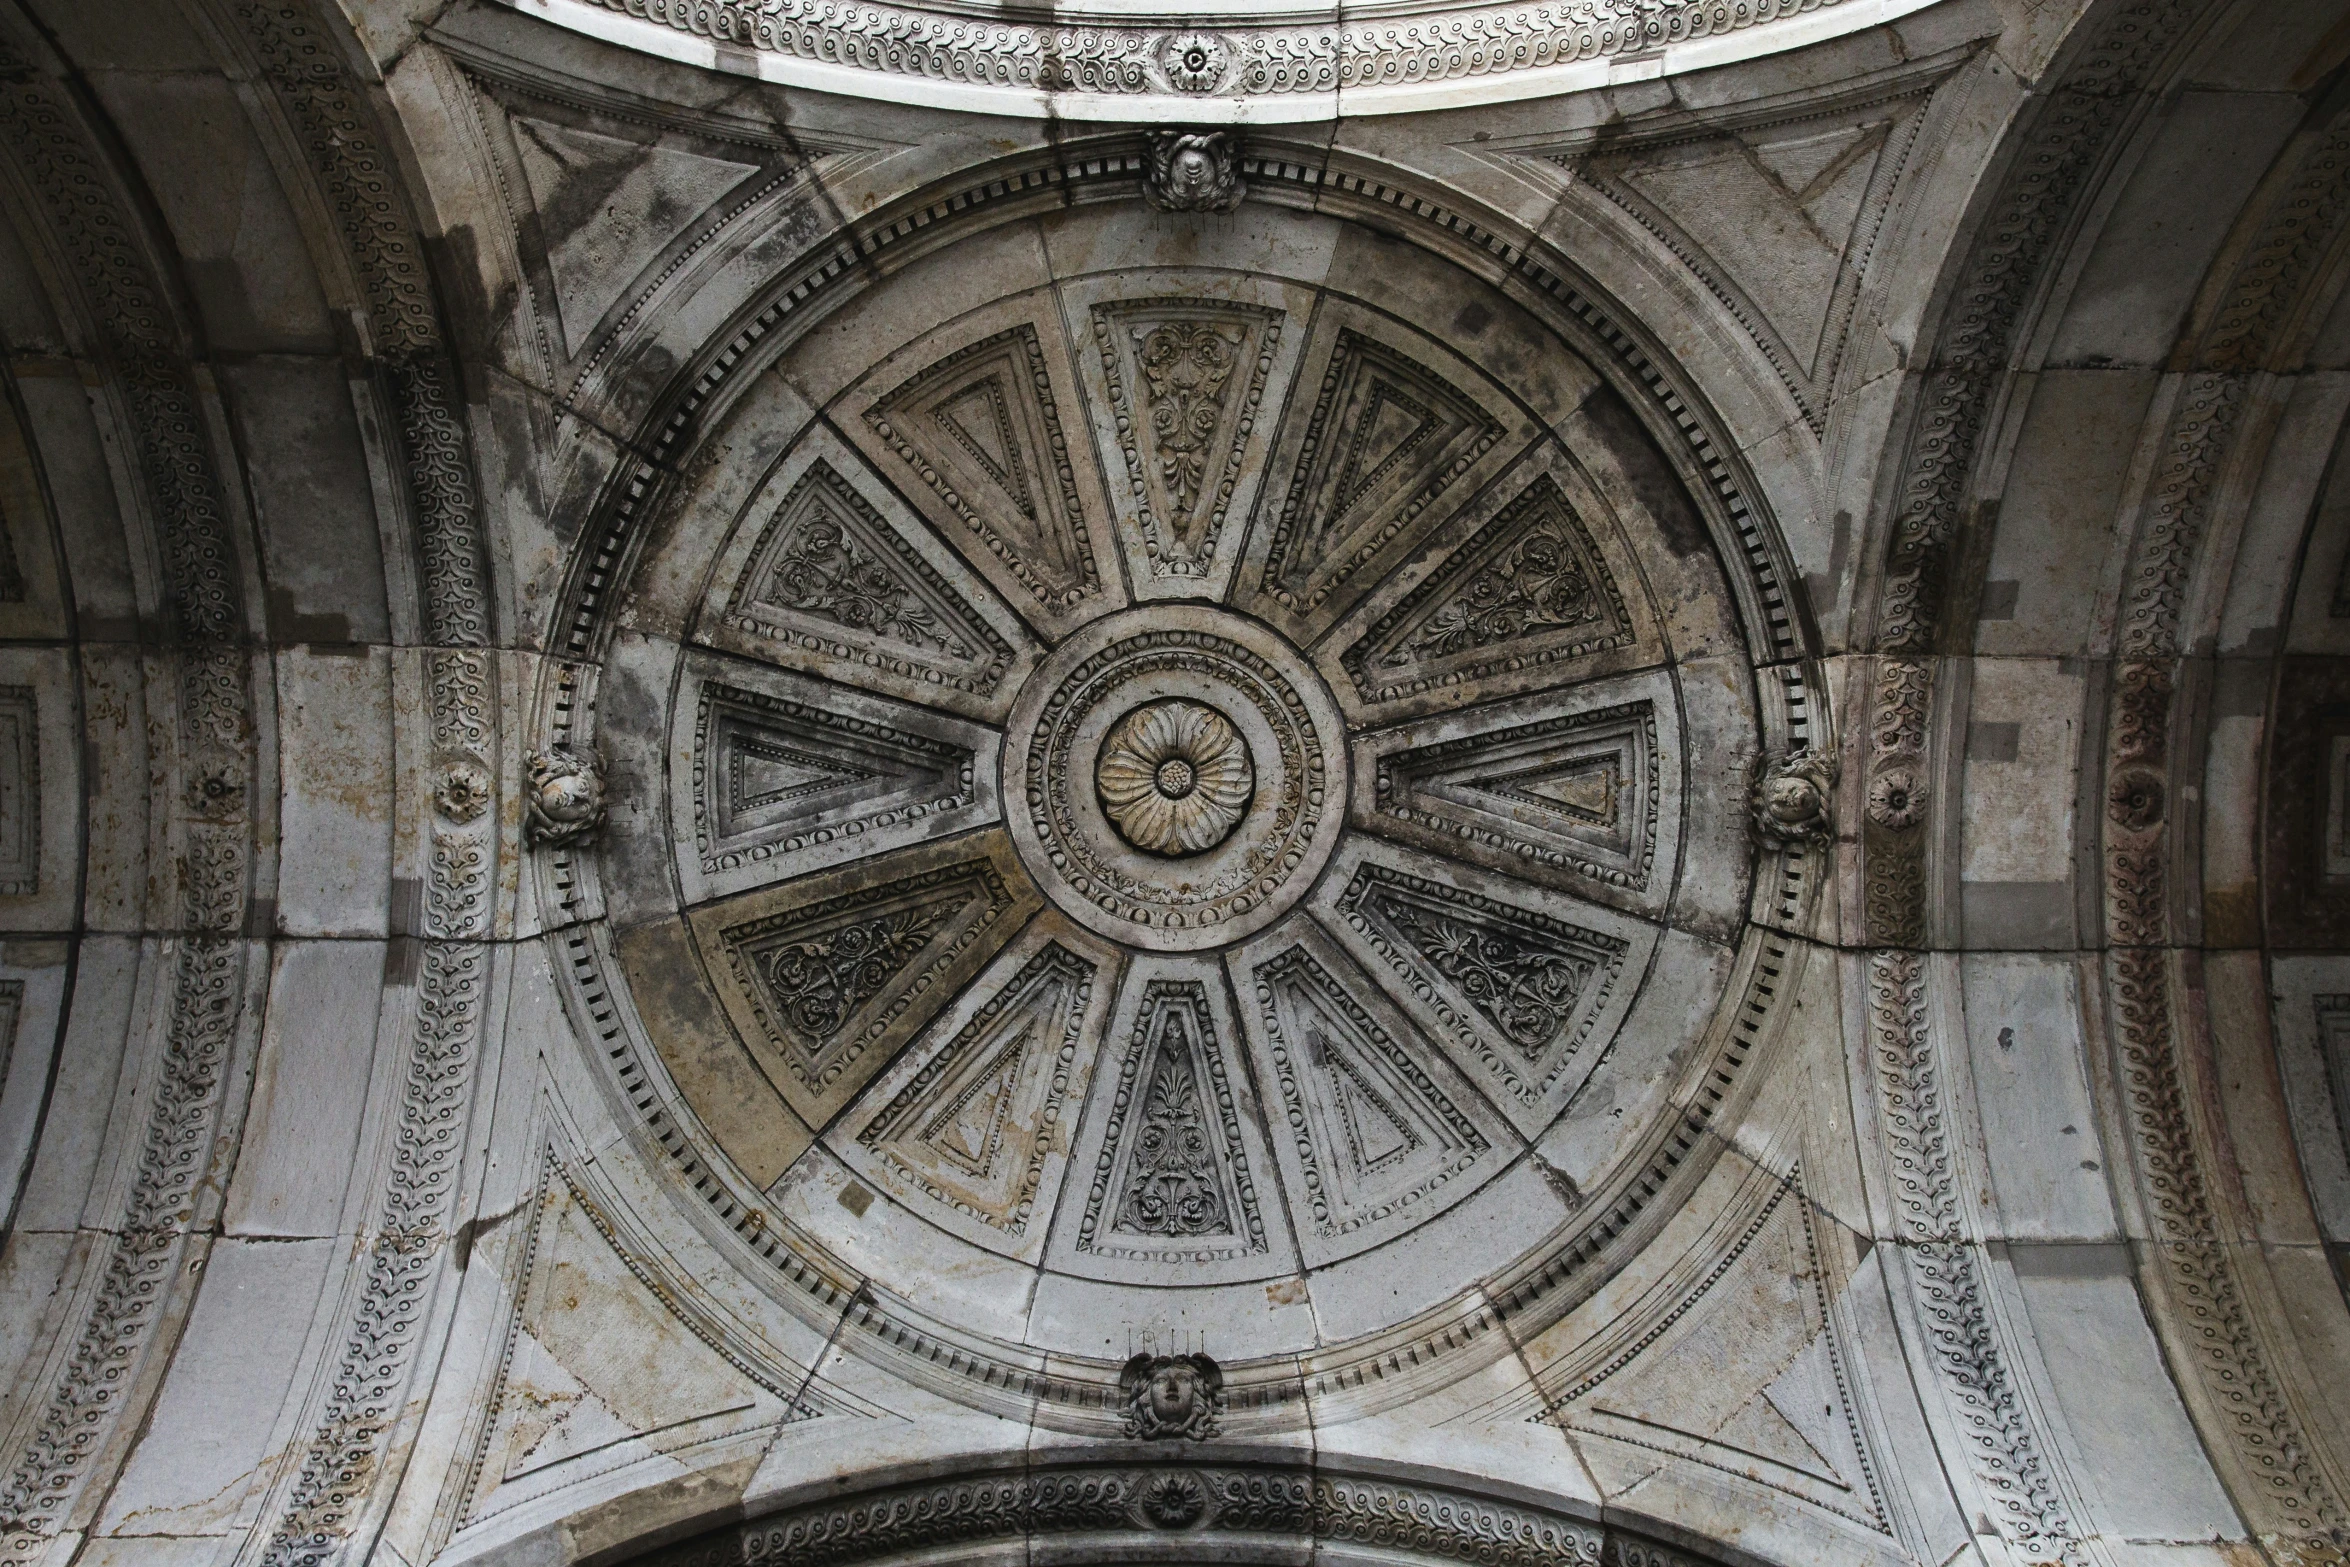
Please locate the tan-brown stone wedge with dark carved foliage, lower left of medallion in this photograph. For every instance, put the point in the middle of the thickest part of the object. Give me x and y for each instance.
(828, 976)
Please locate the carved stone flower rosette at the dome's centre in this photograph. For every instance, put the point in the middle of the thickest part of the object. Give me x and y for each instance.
(1176, 779)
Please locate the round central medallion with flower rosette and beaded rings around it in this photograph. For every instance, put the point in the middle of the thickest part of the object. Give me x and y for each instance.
(1209, 849)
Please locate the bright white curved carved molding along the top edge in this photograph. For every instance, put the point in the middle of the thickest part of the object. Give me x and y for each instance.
(1129, 65)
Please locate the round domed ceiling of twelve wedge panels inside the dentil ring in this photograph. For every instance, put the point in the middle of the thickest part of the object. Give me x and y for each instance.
(1202, 795)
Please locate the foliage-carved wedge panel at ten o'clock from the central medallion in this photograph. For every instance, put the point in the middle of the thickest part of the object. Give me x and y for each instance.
(831, 577)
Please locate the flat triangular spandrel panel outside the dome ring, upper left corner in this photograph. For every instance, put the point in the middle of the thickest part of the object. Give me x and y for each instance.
(607, 208)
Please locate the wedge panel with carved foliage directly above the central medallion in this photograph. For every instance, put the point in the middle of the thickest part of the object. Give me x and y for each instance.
(1186, 386)
